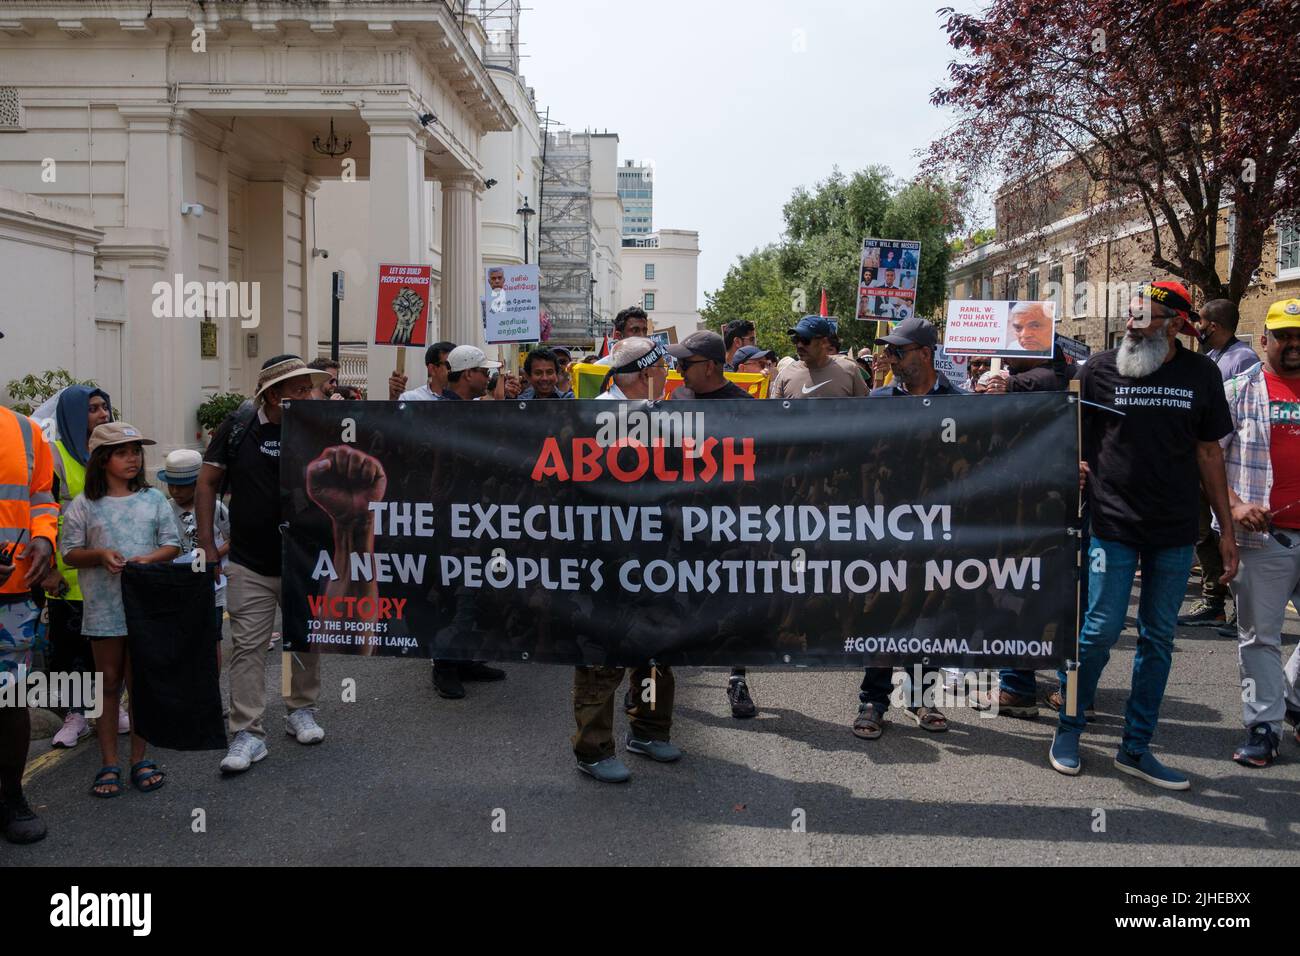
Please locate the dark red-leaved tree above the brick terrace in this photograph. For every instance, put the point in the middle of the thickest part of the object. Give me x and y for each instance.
(1163, 109)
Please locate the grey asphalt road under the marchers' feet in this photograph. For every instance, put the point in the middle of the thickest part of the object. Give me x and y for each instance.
(408, 778)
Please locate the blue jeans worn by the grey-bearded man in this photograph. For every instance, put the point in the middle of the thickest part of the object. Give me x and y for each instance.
(1111, 581)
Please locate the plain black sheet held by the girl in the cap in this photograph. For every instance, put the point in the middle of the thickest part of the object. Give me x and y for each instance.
(172, 638)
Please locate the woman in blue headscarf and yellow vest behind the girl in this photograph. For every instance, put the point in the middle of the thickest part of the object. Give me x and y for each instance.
(79, 412)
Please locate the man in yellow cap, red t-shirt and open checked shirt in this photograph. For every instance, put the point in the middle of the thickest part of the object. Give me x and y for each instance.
(1263, 457)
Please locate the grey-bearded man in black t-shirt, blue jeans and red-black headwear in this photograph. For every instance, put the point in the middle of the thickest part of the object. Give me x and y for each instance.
(1152, 419)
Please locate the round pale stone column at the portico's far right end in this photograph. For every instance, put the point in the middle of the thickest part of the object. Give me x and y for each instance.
(462, 266)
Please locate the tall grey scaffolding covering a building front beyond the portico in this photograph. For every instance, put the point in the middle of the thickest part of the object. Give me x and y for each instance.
(565, 237)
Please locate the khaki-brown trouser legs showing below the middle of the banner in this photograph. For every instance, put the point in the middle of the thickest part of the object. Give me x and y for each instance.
(593, 708)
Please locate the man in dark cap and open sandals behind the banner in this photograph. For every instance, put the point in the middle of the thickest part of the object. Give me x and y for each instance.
(912, 349)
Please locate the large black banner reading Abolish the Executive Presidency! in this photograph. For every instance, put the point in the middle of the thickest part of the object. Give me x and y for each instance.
(740, 533)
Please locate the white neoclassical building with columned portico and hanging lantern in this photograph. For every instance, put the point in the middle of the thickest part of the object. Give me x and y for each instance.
(148, 140)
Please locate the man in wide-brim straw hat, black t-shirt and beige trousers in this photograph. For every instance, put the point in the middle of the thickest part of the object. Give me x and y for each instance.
(245, 455)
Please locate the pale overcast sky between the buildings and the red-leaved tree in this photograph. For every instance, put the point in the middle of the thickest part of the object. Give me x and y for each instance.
(735, 116)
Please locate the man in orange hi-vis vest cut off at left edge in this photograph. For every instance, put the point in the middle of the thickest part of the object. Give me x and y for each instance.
(29, 526)
